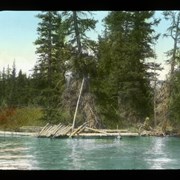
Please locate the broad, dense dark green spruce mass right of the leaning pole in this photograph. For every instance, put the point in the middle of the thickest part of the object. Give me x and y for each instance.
(124, 89)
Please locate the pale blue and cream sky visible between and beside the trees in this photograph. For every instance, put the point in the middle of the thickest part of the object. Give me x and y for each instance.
(18, 32)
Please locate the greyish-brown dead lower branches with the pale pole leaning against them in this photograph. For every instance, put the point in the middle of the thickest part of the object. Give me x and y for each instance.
(79, 105)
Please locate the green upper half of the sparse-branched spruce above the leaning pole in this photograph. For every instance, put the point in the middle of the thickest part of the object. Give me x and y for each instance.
(78, 24)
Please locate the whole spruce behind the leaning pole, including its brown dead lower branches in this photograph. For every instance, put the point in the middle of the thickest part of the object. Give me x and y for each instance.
(83, 62)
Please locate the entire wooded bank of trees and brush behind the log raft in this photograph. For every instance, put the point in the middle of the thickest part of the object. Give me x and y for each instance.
(120, 85)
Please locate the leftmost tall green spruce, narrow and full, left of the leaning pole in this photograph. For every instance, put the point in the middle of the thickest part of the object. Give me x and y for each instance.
(49, 68)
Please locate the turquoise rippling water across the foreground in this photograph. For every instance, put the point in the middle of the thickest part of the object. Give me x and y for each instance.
(30, 153)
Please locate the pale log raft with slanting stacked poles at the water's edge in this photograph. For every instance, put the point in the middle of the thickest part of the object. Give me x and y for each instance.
(62, 131)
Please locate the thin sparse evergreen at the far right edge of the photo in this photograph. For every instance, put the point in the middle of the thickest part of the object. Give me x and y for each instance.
(173, 31)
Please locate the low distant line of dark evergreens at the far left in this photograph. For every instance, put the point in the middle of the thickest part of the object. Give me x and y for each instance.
(14, 89)
